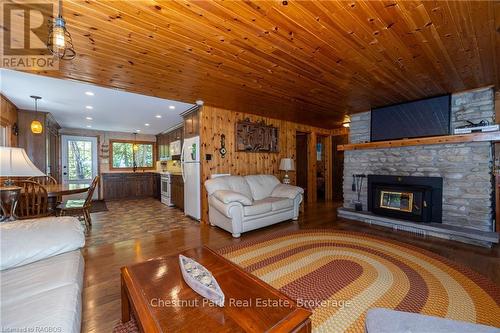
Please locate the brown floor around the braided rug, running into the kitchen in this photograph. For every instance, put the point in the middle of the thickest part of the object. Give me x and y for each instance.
(136, 230)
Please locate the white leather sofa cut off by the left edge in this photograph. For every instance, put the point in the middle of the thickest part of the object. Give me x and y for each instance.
(41, 275)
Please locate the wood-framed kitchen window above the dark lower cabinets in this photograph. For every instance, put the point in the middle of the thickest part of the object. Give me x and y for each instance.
(127, 154)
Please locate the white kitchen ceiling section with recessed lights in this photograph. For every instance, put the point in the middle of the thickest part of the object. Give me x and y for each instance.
(110, 110)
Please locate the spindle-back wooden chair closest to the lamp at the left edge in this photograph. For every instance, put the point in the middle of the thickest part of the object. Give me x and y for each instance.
(33, 201)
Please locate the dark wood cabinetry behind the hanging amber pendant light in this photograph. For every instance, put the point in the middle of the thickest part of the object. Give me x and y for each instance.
(43, 148)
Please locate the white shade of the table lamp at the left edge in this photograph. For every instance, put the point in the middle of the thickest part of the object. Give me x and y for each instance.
(14, 162)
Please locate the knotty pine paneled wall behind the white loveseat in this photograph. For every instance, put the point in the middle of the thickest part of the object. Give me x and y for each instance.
(217, 121)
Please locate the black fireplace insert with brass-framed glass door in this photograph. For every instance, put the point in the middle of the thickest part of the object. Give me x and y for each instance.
(418, 199)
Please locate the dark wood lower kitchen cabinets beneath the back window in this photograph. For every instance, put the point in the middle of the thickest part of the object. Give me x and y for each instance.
(130, 185)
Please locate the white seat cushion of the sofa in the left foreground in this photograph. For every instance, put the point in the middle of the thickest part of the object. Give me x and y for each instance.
(28, 280)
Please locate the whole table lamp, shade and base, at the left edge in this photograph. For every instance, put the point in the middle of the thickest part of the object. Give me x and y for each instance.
(14, 162)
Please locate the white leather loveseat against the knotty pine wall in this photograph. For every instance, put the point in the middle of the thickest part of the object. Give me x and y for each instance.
(239, 204)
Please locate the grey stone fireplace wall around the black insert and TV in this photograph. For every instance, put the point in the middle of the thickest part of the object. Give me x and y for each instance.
(456, 178)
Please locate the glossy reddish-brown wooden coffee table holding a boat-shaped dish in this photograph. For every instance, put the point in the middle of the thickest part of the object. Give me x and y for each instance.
(155, 292)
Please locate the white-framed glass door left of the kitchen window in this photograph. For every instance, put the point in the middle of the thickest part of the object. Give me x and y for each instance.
(79, 160)
